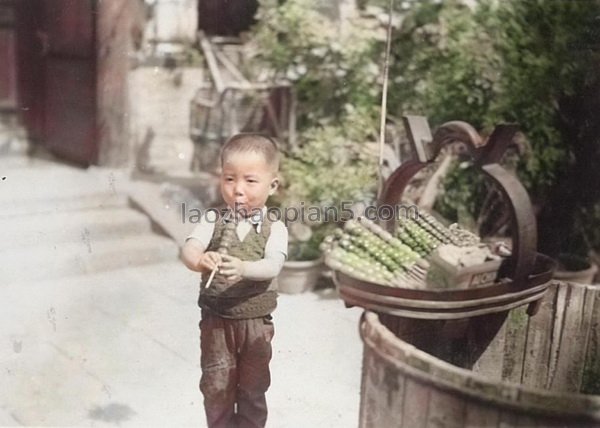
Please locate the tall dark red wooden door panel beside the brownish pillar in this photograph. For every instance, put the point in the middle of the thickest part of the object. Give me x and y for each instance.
(70, 79)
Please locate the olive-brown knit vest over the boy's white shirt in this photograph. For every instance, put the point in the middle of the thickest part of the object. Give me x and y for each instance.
(244, 299)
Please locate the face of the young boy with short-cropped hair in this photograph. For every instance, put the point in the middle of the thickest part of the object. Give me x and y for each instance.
(247, 181)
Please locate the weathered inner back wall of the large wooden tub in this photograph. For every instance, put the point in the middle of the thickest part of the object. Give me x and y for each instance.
(558, 349)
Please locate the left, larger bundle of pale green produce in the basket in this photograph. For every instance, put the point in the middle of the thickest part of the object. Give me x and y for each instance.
(366, 251)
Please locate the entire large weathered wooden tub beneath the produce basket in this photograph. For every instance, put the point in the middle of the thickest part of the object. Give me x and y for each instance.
(531, 375)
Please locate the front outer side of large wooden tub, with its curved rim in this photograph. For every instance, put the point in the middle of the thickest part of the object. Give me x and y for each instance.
(403, 386)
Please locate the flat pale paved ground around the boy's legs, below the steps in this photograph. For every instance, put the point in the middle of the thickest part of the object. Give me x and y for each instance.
(121, 348)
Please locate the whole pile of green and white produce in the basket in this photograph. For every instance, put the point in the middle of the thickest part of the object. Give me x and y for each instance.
(365, 251)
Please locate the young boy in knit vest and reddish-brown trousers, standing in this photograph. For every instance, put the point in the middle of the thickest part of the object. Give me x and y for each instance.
(247, 249)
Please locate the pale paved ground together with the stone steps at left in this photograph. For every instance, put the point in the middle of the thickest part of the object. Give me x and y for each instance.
(99, 323)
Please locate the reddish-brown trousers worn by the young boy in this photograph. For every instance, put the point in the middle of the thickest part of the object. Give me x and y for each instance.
(235, 356)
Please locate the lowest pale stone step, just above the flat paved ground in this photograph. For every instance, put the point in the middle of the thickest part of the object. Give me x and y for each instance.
(84, 257)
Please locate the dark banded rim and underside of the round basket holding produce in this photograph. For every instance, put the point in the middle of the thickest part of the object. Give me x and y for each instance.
(454, 325)
